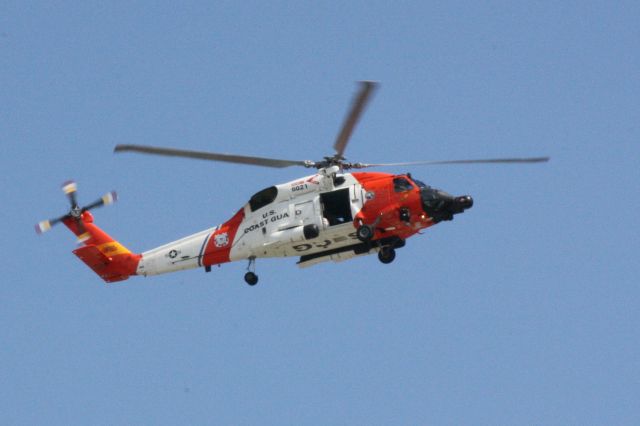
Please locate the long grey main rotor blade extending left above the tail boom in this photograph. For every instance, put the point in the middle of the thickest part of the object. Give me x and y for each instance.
(214, 156)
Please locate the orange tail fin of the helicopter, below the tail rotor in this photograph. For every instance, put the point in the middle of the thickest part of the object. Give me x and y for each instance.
(107, 257)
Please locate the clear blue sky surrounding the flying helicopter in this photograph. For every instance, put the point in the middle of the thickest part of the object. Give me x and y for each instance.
(522, 310)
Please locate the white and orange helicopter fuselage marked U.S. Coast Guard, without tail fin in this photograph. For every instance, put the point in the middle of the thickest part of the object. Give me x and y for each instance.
(316, 217)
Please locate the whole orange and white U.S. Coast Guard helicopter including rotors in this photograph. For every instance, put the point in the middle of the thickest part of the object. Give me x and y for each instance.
(330, 215)
